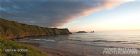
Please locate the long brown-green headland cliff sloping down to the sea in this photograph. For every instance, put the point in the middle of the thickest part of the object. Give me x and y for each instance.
(12, 29)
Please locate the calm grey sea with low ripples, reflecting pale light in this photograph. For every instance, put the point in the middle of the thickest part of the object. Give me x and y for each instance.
(89, 44)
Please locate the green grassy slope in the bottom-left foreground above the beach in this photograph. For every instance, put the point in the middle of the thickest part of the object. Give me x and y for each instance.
(8, 44)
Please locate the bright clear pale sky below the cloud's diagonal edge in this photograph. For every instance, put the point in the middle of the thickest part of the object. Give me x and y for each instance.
(123, 17)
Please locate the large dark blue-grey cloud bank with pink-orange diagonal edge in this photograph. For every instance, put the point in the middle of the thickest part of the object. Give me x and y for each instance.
(52, 13)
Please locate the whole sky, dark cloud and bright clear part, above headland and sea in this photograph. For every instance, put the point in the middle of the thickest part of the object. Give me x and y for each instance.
(77, 15)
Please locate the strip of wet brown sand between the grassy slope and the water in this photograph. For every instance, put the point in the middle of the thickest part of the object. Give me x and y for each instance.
(51, 51)
